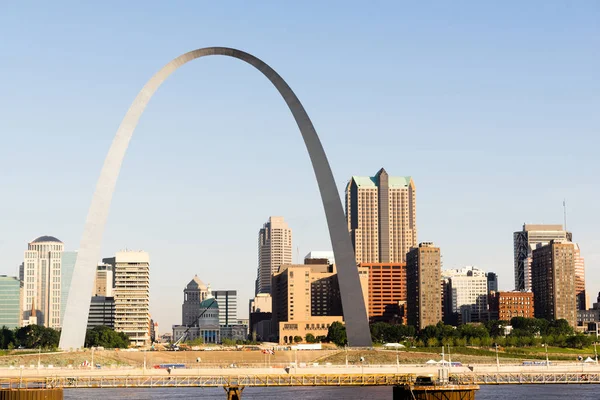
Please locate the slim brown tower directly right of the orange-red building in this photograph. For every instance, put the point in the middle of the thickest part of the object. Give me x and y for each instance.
(423, 293)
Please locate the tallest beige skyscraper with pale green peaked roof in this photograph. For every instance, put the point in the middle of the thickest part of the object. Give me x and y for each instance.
(381, 215)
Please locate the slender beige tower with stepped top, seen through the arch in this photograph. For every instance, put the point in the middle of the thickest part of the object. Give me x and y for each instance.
(274, 250)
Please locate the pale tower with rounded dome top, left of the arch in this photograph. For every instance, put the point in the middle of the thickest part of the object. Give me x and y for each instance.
(41, 272)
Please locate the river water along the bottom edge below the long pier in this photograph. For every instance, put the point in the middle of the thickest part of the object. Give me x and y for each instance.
(512, 392)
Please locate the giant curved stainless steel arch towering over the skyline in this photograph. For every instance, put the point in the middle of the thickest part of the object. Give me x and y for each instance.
(76, 313)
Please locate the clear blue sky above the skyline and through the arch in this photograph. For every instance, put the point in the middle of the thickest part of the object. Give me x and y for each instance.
(493, 109)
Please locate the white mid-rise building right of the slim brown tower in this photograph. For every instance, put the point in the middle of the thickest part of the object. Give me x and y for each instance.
(468, 291)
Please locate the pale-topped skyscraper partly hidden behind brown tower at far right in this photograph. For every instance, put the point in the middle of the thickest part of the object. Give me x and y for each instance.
(525, 241)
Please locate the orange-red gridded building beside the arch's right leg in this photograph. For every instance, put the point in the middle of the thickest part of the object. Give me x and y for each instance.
(387, 291)
